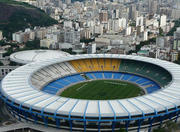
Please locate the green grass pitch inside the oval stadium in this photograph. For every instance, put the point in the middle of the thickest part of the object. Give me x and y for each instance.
(102, 90)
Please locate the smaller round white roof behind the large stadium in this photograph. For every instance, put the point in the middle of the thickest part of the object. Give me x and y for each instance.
(28, 56)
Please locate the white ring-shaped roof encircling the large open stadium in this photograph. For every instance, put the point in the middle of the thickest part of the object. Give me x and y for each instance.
(16, 86)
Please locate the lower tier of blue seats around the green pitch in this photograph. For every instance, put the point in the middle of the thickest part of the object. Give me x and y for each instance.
(145, 83)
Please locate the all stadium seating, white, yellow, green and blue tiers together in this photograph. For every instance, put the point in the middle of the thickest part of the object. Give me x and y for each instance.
(66, 73)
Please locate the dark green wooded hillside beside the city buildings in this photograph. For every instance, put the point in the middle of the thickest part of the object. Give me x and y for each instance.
(15, 16)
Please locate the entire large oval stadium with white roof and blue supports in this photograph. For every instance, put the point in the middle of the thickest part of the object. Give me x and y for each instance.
(40, 92)
